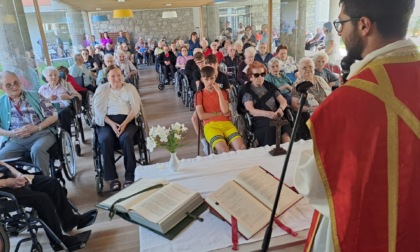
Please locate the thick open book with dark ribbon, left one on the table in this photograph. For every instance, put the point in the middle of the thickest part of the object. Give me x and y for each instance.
(161, 207)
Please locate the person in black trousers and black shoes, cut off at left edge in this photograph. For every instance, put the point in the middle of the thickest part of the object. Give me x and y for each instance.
(49, 199)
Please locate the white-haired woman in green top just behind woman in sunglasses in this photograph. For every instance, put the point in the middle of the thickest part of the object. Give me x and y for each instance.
(282, 82)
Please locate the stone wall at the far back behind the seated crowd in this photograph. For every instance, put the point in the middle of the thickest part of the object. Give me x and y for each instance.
(149, 24)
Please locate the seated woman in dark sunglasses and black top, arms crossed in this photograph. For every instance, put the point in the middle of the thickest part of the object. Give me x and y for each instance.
(264, 102)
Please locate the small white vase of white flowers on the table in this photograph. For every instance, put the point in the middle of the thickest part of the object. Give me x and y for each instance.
(170, 138)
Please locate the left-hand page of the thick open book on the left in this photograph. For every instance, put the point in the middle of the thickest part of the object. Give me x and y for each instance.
(137, 186)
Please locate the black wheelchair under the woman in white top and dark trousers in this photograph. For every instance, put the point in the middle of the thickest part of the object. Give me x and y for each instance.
(144, 154)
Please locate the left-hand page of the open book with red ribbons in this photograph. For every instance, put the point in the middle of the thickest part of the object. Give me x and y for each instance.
(232, 199)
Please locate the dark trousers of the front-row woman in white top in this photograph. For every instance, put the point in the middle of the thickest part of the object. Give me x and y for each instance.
(108, 140)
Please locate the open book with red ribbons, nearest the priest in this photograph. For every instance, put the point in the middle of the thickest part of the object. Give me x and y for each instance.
(250, 198)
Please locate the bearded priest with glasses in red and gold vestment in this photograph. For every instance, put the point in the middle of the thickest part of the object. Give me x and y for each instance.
(364, 176)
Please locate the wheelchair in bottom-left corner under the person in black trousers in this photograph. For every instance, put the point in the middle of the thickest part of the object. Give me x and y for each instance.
(15, 219)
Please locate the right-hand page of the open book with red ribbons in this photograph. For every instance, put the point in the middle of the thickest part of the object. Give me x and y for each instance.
(264, 187)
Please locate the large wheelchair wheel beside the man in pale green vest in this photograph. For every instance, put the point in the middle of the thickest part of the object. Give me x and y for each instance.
(69, 159)
